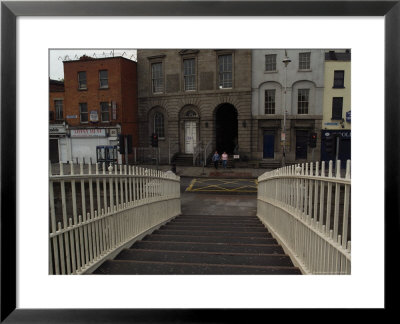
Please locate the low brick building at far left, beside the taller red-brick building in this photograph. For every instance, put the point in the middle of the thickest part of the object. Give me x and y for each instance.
(57, 131)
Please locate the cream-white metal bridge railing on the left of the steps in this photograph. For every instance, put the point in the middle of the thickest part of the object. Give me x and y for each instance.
(94, 213)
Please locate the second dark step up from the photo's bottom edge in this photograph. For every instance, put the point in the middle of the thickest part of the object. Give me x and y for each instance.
(205, 257)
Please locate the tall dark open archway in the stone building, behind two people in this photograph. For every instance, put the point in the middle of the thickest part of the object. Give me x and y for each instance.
(226, 128)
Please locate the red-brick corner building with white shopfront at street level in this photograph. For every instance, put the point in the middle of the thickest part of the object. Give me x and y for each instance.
(100, 102)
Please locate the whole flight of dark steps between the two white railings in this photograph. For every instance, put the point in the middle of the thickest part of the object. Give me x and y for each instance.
(204, 244)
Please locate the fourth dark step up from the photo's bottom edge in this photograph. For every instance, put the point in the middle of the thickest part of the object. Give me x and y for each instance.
(209, 239)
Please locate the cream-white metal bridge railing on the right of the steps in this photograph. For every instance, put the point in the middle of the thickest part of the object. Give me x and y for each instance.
(308, 211)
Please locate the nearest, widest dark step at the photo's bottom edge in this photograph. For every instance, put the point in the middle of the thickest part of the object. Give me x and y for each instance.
(125, 267)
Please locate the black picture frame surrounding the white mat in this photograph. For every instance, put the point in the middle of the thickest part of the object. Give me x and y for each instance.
(10, 10)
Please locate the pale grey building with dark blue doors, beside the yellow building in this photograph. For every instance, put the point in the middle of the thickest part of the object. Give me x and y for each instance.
(285, 139)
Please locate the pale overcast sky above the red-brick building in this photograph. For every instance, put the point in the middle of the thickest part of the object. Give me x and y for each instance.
(57, 56)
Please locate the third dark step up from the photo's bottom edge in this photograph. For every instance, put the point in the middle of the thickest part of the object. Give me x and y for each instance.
(209, 247)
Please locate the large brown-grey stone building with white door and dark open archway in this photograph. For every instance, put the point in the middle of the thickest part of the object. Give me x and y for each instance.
(195, 99)
